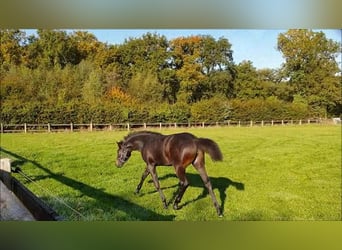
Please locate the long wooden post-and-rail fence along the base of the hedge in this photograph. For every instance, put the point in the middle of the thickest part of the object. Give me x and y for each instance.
(74, 127)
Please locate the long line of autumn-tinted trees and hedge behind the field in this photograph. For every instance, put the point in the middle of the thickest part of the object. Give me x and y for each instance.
(58, 77)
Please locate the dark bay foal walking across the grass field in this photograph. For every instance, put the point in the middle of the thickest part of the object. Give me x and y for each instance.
(178, 150)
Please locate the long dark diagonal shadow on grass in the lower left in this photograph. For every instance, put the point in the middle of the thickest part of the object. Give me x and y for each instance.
(133, 211)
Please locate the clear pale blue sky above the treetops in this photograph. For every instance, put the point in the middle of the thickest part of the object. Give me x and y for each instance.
(258, 46)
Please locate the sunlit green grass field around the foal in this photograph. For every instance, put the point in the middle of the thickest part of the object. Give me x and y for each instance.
(268, 173)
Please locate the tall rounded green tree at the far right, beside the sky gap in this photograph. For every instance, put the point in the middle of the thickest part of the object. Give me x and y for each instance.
(311, 66)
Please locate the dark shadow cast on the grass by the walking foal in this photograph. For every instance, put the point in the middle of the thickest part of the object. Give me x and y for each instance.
(219, 183)
